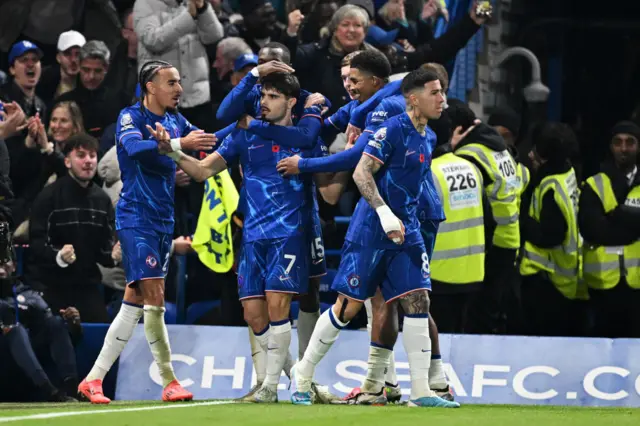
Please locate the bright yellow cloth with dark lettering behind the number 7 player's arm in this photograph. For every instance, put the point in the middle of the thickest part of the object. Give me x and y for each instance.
(213, 239)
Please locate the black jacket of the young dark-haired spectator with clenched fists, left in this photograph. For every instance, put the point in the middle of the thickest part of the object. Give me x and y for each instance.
(67, 213)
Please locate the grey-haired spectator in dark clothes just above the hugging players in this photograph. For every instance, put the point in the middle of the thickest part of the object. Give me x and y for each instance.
(318, 64)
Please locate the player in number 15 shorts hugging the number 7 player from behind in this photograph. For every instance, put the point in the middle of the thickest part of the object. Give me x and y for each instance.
(243, 104)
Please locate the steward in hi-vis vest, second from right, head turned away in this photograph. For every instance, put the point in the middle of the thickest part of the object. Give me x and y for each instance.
(552, 291)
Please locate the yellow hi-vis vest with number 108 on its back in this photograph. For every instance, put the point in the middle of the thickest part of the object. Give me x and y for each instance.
(502, 192)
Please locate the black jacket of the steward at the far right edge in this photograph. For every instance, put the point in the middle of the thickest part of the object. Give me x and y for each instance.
(617, 228)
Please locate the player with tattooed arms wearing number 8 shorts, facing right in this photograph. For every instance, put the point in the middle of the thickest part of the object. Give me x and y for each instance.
(384, 249)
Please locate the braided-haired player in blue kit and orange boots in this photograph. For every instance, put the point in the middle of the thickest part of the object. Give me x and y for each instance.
(144, 222)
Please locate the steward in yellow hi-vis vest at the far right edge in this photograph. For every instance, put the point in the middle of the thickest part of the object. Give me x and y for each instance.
(609, 221)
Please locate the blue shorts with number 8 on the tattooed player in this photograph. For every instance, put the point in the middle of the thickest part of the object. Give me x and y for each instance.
(397, 272)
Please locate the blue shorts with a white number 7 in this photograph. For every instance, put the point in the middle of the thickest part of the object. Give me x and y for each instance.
(278, 265)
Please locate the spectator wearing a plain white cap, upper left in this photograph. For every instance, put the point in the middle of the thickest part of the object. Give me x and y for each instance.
(63, 77)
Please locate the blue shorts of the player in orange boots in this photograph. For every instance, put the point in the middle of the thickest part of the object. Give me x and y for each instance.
(145, 253)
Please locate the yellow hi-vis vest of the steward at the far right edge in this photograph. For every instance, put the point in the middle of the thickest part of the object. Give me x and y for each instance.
(602, 265)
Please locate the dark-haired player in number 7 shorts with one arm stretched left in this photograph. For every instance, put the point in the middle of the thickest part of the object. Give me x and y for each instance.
(274, 263)
